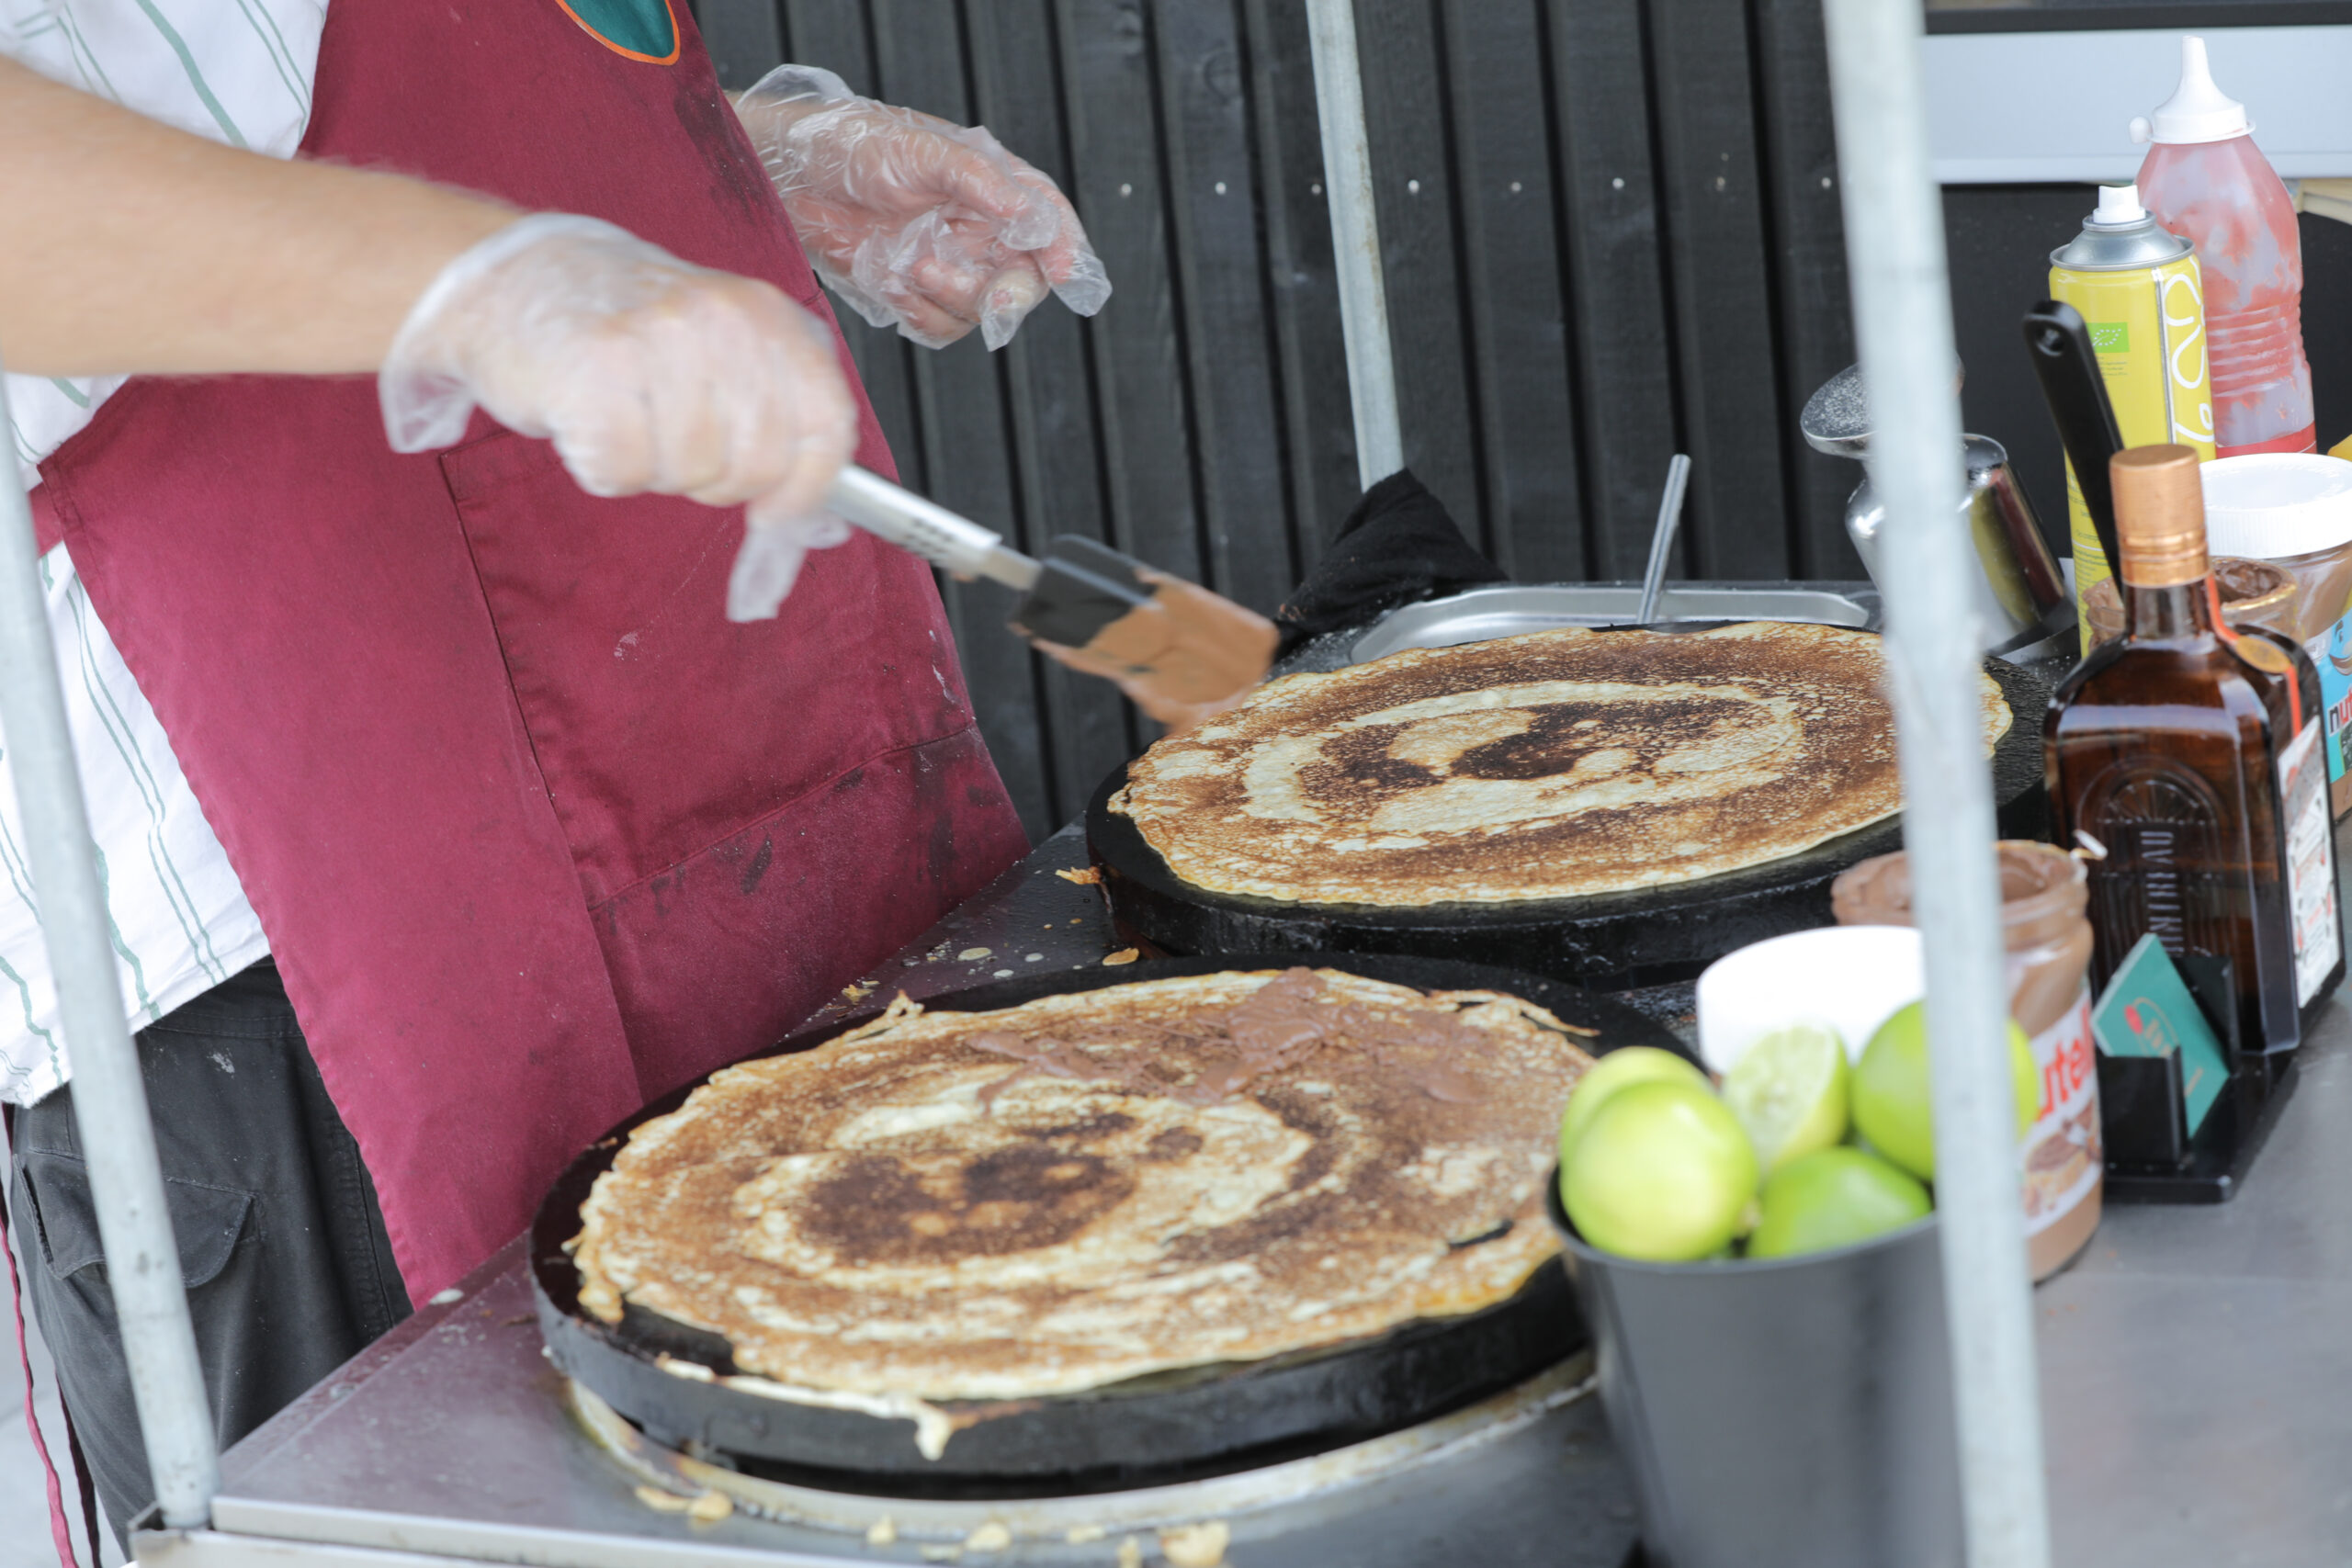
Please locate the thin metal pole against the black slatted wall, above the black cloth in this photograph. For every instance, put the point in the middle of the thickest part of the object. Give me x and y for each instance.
(1356, 241)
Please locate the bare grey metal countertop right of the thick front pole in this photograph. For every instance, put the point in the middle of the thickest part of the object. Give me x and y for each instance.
(2198, 1362)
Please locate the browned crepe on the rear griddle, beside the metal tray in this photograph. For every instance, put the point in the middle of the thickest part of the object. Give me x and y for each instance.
(1553, 765)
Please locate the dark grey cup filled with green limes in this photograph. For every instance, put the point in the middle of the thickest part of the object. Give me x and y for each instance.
(1763, 1282)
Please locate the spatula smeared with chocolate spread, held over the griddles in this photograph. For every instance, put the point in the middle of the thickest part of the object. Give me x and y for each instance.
(1175, 648)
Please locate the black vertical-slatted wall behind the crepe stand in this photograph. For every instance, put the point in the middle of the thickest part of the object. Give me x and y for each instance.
(1610, 234)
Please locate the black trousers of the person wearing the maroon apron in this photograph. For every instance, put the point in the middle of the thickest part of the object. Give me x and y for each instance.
(276, 1219)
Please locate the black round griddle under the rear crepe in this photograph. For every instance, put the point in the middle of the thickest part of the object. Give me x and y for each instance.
(1608, 942)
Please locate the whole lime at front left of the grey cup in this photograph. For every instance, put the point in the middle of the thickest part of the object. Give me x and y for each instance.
(1662, 1174)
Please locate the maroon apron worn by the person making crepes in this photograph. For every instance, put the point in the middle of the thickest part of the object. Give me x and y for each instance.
(533, 829)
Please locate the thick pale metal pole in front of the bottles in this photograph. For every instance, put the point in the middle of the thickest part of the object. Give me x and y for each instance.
(1904, 330)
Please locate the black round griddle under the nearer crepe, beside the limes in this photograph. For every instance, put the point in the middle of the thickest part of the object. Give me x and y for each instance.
(1168, 1426)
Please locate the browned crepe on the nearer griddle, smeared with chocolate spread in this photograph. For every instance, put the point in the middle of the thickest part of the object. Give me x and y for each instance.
(1097, 1186)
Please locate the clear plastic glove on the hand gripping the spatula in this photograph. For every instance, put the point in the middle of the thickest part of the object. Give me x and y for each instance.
(648, 373)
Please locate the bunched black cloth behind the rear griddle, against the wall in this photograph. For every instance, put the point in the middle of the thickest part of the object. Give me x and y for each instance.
(1394, 549)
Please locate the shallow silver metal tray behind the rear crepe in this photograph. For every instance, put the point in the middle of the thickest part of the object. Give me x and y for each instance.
(1537, 608)
